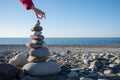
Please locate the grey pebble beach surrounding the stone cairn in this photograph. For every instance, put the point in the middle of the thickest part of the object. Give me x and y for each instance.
(78, 62)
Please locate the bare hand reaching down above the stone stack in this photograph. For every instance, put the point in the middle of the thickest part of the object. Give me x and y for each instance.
(39, 14)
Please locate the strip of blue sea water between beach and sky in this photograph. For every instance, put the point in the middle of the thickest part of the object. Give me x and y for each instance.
(62, 41)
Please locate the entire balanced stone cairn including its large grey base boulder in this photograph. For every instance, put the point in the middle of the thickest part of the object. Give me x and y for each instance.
(38, 55)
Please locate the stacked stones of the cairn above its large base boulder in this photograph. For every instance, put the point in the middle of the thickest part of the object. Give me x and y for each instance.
(38, 53)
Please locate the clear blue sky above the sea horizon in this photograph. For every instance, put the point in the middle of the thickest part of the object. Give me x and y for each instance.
(64, 18)
